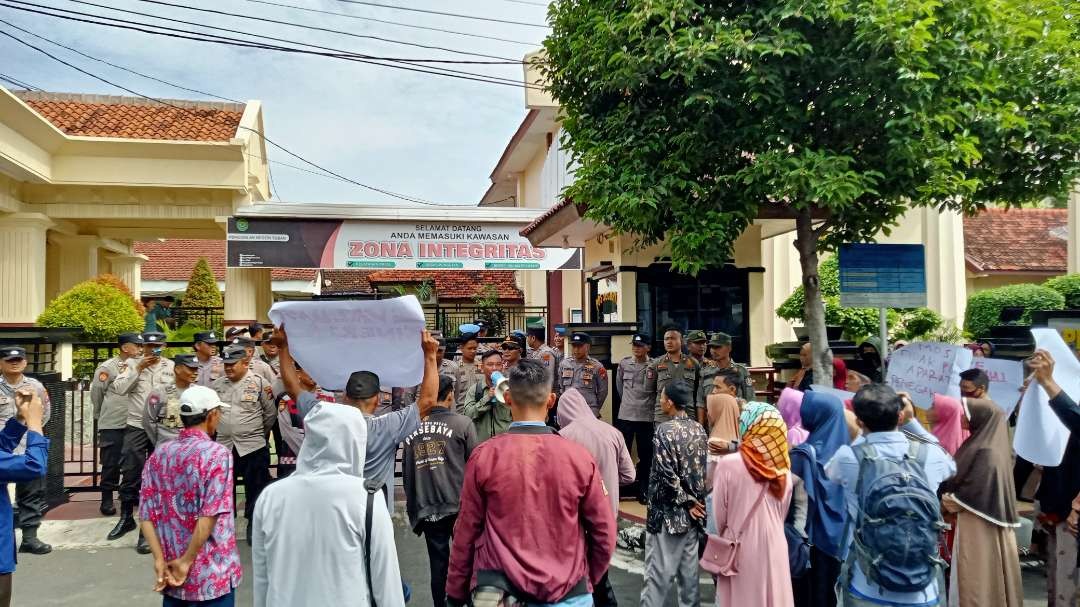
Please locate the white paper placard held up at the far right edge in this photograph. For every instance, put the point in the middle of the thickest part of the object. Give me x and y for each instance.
(1041, 437)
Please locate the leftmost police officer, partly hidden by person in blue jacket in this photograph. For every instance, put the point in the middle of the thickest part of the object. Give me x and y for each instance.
(30, 495)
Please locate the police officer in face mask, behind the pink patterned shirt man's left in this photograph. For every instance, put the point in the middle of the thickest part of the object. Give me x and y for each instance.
(138, 382)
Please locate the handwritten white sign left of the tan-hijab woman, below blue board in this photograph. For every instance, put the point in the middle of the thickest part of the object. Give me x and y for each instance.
(925, 369)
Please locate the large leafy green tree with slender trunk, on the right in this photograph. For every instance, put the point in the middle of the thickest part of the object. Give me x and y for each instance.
(690, 119)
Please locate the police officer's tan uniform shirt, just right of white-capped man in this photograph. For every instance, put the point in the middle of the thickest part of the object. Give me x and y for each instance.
(248, 422)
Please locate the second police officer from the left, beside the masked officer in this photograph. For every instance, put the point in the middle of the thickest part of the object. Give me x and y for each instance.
(111, 412)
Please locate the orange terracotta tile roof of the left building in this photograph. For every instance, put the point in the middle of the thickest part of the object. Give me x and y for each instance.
(134, 119)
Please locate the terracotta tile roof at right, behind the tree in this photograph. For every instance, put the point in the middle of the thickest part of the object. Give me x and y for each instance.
(1019, 240)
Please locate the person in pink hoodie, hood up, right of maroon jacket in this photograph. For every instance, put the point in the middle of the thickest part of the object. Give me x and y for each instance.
(609, 449)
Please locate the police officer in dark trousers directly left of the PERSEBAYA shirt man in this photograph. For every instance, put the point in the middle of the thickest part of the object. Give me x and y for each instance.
(636, 411)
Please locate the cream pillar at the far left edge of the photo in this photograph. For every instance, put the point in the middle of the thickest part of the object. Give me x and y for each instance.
(23, 268)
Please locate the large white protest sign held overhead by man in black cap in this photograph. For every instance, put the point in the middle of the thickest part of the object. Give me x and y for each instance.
(332, 340)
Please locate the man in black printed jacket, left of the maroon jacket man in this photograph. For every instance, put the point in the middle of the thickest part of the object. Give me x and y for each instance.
(434, 470)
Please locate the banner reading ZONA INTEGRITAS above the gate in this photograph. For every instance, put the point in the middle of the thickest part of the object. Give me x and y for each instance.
(401, 246)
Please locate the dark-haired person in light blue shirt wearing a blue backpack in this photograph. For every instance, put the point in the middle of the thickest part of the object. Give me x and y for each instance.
(879, 409)
